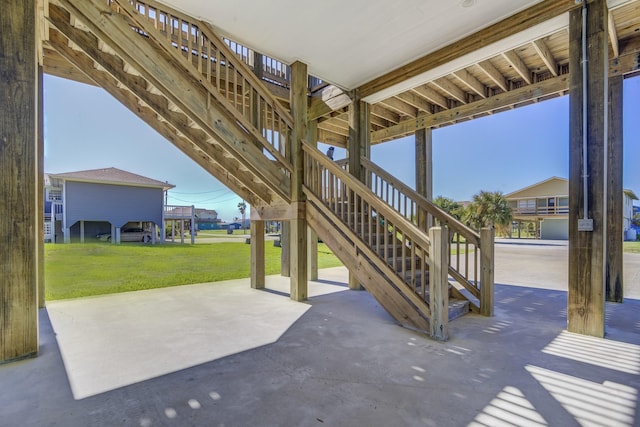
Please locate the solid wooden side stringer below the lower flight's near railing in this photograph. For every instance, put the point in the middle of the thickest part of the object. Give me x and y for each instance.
(378, 279)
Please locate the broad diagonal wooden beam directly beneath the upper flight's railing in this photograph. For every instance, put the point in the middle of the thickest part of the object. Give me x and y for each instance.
(180, 87)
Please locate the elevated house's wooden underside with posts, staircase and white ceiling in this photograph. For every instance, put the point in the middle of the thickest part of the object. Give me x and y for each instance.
(212, 87)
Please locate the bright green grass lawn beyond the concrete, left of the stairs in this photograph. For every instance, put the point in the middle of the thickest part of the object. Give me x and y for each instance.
(78, 270)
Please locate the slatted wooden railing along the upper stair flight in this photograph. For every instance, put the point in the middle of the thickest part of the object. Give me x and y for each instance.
(209, 57)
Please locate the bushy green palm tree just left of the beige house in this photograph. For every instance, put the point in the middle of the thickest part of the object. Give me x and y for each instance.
(489, 209)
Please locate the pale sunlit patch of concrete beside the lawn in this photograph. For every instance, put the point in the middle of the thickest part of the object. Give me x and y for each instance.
(112, 341)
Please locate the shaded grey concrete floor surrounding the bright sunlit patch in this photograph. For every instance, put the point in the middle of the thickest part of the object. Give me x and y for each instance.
(344, 362)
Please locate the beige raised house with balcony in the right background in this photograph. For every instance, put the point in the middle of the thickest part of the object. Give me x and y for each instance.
(542, 209)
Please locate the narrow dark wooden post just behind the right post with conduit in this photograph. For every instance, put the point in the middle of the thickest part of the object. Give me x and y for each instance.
(614, 259)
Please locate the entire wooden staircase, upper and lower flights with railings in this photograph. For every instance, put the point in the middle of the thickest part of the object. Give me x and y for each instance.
(182, 79)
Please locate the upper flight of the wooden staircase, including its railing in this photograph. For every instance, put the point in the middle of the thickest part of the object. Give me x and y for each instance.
(182, 79)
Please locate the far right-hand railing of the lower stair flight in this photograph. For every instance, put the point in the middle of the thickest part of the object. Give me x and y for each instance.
(468, 266)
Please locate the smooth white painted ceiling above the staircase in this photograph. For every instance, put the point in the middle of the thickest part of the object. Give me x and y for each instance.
(349, 42)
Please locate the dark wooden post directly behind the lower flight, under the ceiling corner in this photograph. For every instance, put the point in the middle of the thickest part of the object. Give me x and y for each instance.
(359, 146)
